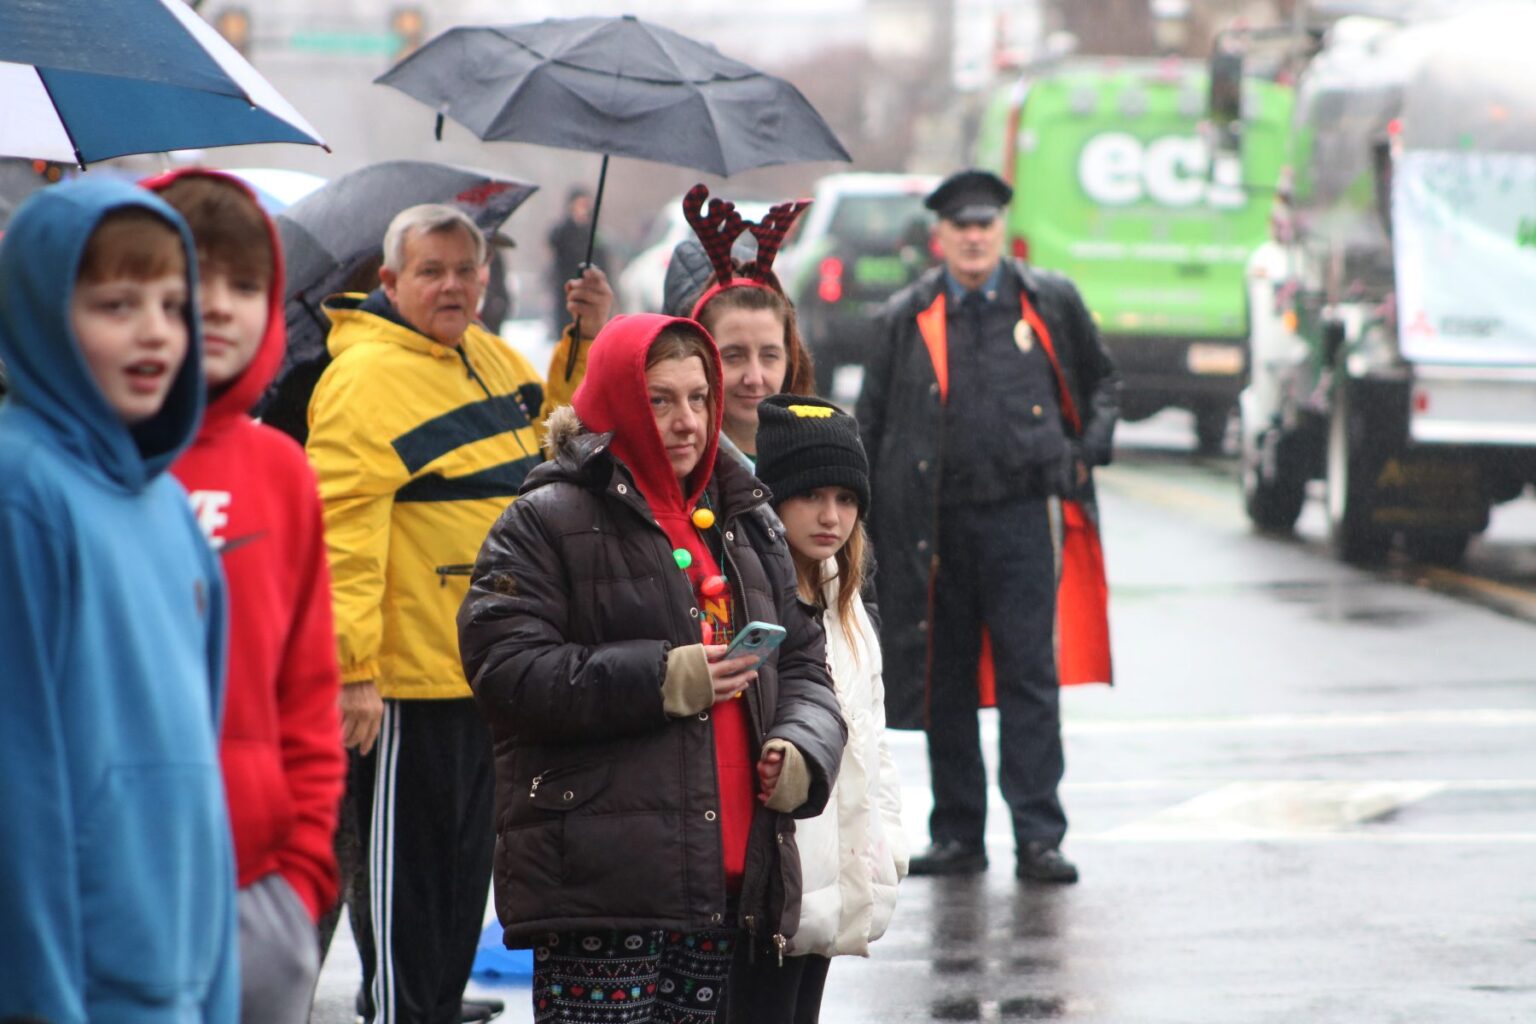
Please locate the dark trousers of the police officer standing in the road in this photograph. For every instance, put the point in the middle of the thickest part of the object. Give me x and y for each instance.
(996, 570)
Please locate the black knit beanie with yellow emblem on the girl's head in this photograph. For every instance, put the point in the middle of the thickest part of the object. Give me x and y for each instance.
(807, 443)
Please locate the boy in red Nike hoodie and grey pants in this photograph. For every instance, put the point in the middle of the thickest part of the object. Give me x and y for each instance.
(256, 497)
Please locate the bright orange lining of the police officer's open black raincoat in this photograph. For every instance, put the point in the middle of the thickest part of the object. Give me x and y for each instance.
(1082, 589)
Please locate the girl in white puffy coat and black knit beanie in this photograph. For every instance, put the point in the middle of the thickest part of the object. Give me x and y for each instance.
(855, 853)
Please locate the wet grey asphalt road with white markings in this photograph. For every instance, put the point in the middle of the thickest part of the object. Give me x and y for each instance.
(1311, 796)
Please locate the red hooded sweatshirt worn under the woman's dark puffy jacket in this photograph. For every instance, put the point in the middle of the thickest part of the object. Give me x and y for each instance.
(614, 397)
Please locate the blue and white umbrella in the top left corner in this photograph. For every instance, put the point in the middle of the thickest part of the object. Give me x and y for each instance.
(84, 81)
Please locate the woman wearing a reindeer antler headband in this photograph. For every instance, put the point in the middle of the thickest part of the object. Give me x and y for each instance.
(744, 309)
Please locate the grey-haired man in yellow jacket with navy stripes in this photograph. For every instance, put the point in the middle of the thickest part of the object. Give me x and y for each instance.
(422, 432)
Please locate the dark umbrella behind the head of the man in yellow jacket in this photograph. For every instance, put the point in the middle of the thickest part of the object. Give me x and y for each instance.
(333, 233)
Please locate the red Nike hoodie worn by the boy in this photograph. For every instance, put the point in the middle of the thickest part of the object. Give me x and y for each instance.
(256, 497)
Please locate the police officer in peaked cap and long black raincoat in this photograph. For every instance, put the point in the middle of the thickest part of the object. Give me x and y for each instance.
(985, 405)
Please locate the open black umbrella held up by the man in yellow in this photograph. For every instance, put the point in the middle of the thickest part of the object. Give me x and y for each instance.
(615, 87)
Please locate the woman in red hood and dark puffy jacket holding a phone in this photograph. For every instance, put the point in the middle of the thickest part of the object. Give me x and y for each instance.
(646, 784)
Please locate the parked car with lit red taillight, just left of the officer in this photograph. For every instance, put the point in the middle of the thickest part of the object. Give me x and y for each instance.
(866, 237)
